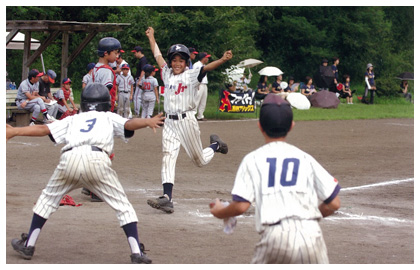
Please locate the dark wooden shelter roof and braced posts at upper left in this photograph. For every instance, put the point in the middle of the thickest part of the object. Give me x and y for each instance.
(54, 30)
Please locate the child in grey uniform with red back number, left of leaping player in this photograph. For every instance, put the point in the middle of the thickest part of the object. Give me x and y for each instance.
(149, 85)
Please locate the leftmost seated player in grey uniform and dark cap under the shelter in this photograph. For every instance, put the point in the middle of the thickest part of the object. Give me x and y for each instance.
(27, 98)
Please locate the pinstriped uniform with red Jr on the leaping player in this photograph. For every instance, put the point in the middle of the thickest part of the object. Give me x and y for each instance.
(180, 91)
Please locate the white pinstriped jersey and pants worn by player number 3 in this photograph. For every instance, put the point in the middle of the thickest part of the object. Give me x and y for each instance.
(81, 165)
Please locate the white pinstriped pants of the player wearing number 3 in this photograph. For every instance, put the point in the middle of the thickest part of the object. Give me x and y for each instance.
(82, 167)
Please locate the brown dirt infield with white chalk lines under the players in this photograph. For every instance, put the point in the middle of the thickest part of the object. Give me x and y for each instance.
(372, 159)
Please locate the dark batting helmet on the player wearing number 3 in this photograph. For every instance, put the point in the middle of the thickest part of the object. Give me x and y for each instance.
(95, 97)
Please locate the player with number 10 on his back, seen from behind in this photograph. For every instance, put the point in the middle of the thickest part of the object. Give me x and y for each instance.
(285, 183)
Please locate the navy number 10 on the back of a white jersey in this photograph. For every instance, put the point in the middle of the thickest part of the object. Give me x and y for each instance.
(286, 179)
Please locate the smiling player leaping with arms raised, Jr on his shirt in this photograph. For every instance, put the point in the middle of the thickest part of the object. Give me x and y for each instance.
(181, 126)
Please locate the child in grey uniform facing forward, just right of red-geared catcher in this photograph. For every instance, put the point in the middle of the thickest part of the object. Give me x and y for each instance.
(125, 84)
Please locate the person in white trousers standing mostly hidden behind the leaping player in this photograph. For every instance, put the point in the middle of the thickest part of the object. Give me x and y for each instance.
(201, 97)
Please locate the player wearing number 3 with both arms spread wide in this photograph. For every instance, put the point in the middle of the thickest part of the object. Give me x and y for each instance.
(88, 137)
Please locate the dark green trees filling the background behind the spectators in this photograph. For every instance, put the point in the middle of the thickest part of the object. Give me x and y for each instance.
(294, 39)
